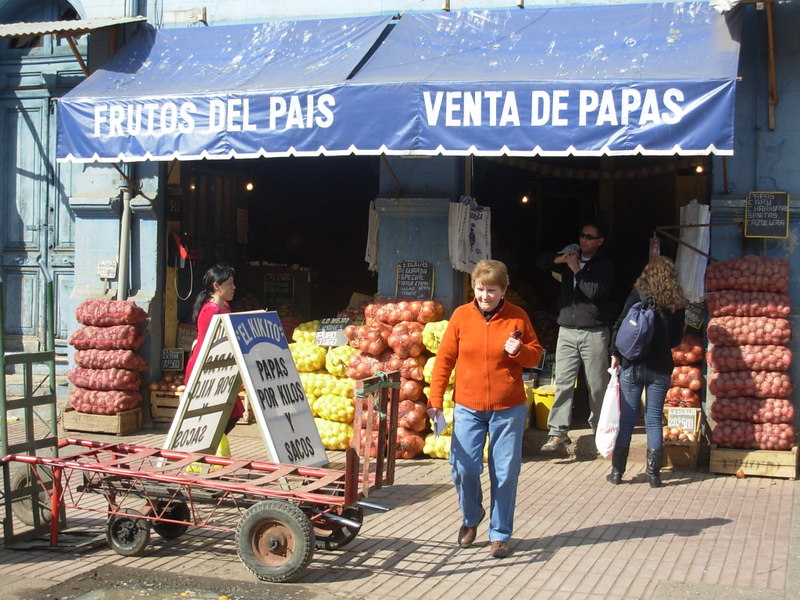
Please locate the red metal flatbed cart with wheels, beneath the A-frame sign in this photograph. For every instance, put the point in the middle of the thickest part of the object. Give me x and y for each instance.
(280, 513)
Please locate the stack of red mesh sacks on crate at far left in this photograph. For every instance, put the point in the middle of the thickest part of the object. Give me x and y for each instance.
(107, 365)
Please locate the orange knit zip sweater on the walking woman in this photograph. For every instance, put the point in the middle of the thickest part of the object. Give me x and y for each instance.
(486, 377)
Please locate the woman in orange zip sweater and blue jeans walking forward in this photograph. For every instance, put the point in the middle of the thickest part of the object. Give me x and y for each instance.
(488, 341)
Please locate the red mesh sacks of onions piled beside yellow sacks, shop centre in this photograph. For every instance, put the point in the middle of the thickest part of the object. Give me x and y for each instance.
(391, 340)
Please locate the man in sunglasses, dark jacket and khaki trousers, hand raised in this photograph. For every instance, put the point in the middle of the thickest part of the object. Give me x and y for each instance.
(587, 275)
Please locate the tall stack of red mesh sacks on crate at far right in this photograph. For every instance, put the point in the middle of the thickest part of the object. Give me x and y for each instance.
(750, 359)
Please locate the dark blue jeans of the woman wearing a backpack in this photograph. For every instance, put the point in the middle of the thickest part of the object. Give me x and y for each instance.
(632, 380)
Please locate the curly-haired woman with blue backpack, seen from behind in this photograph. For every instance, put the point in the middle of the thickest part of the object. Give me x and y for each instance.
(651, 371)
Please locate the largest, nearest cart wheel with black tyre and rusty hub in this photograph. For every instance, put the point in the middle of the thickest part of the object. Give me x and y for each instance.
(275, 541)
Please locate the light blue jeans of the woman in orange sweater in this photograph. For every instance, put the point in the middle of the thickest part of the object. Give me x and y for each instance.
(505, 429)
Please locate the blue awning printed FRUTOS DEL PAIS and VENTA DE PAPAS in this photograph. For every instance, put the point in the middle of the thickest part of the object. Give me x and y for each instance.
(578, 80)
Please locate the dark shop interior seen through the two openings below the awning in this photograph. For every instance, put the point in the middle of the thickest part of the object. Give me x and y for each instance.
(313, 212)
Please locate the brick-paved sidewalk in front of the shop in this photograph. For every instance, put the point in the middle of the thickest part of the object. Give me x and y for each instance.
(576, 537)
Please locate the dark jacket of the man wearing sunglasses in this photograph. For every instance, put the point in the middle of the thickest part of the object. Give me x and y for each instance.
(585, 304)
